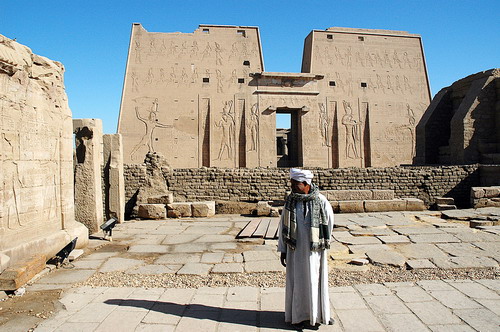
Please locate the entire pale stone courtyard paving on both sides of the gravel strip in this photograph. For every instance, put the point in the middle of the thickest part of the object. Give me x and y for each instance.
(191, 248)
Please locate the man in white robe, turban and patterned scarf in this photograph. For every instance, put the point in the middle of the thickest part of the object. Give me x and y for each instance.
(304, 251)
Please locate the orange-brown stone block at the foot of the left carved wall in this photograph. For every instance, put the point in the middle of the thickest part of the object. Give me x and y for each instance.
(19, 274)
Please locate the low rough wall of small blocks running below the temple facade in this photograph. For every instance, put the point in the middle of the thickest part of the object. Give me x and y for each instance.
(263, 184)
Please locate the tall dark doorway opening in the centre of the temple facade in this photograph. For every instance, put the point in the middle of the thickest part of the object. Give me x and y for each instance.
(288, 137)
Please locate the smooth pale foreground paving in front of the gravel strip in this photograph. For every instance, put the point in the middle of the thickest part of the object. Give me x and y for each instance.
(440, 306)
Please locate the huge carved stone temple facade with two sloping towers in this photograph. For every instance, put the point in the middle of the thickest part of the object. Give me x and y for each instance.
(203, 99)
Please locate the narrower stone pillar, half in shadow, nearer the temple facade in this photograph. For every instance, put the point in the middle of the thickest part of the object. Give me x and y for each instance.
(114, 183)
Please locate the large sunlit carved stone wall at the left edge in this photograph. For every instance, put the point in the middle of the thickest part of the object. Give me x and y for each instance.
(36, 161)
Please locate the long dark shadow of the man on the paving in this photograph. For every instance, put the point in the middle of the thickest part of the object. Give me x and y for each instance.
(257, 318)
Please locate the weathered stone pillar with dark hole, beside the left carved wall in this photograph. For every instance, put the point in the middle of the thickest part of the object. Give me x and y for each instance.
(88, 161)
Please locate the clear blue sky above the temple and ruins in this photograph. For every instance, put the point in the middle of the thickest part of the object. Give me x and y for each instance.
(90, 37)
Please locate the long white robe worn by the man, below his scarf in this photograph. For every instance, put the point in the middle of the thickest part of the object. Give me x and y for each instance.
(306, 293)
